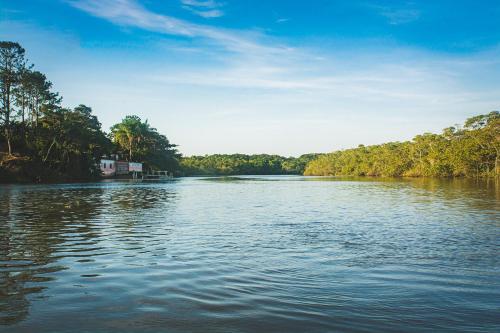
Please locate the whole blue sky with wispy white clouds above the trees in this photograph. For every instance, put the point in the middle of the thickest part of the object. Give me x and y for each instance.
(267, 76)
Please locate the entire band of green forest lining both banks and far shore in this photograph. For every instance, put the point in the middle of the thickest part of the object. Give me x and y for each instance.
(41, 140)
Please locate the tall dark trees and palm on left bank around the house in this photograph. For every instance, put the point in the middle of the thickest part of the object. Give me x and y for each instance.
(43, 141)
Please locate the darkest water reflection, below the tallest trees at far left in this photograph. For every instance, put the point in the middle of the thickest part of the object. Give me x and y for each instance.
(37, 224)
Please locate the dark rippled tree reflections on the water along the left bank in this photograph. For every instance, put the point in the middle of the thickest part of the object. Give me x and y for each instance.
(40, 225)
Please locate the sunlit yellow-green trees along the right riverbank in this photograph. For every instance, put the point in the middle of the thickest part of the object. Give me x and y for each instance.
(471, 151)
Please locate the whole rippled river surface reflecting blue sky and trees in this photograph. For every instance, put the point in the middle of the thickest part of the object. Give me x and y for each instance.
(251, 254)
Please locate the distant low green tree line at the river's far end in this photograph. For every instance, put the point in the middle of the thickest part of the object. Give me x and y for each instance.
(240, 164)
